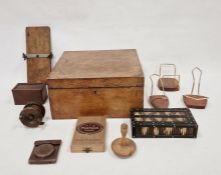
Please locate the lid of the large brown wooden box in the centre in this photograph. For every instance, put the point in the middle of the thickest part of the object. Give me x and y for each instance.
(101, 68)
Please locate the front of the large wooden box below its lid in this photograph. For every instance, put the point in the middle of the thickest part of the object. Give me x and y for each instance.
(113, 102)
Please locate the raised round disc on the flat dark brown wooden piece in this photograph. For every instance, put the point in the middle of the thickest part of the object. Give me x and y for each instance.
(44, 150)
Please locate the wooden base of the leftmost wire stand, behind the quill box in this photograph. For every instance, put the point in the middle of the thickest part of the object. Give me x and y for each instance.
(159, 101)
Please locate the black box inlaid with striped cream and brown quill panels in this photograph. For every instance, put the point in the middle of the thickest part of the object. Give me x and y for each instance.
(163, 123)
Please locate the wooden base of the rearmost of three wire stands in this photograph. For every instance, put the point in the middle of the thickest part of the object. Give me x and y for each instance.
(168, 84)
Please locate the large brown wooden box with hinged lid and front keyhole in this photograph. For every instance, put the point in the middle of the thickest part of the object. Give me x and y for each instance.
(96, 83)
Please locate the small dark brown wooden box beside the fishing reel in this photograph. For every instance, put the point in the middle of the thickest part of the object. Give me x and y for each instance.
(24, 93)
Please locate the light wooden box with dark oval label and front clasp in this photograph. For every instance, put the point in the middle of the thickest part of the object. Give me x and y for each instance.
(89, 135)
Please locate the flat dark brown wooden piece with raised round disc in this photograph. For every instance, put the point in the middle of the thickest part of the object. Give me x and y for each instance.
(45, 152)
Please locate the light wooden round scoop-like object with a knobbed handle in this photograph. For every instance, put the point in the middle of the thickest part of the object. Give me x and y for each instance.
(123, 147)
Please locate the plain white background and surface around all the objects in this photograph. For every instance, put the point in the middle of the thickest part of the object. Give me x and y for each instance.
(184, 32)
